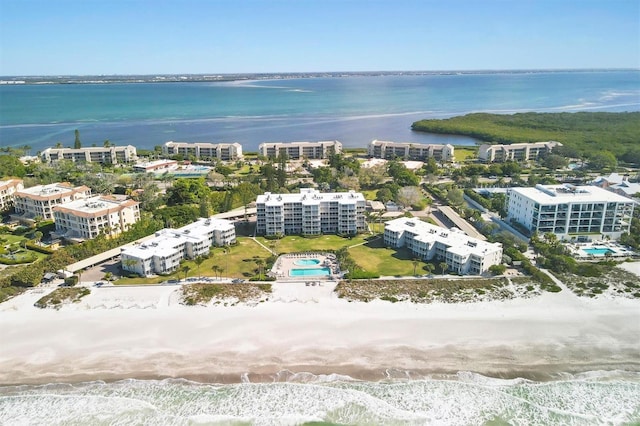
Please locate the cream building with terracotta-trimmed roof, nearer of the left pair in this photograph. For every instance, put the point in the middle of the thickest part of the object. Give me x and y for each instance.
(87, 218)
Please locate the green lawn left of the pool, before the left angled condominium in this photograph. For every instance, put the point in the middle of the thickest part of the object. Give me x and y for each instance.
(238, 263)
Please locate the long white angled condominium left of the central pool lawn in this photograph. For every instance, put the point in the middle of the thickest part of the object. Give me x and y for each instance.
(169, 247)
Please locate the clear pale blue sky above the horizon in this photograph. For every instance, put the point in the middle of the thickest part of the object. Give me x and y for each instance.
(91, 37)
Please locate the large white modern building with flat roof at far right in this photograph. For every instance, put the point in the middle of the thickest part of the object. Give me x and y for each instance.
(570, 212)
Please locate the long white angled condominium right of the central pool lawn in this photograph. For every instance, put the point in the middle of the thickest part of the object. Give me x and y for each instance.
(463, 254)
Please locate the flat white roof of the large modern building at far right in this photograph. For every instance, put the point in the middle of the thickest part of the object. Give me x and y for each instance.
(560, 194)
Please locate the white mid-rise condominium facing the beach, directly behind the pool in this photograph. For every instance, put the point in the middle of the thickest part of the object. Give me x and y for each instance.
(310, 213)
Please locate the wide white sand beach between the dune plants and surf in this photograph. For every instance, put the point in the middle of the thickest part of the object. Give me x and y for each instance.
(144, 333)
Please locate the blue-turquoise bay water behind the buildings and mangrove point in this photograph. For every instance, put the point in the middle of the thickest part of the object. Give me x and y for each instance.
(353, 110)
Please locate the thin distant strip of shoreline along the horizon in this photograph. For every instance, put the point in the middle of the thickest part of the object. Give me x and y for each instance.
(214, 78)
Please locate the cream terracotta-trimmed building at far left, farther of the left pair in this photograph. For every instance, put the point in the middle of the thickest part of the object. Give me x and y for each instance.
(39, 201)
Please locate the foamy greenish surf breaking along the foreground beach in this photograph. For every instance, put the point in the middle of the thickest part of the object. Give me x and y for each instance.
(610, 398)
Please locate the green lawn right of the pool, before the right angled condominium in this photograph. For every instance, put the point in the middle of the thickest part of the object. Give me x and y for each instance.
(374, 257)
